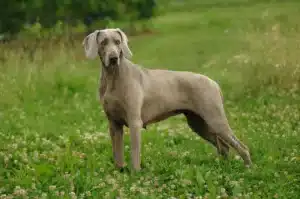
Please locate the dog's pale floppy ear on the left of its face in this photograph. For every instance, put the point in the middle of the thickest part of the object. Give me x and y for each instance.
(90, 44)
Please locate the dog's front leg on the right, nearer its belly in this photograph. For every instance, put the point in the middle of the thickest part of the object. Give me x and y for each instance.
(135, 126)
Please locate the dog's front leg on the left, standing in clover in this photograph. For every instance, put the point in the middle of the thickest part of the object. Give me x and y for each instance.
(117, 139)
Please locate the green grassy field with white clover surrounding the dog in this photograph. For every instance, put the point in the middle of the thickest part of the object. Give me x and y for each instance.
(54, 141)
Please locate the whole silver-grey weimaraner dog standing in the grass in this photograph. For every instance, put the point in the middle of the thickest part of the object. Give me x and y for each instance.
(134, 96)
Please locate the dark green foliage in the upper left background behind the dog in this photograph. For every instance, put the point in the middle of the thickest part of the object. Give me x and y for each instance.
(71, 12)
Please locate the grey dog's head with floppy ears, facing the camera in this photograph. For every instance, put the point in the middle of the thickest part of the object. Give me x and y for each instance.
(110, 44)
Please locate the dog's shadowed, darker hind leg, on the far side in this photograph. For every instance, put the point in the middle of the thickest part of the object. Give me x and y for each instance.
(199, 126)
